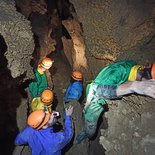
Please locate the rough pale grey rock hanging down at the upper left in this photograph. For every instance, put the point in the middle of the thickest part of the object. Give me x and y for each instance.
(18, 36)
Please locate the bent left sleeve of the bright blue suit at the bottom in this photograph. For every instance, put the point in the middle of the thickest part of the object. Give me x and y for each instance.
(23, 136)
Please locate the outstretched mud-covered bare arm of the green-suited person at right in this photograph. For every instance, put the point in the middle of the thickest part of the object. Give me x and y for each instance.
(146, 87)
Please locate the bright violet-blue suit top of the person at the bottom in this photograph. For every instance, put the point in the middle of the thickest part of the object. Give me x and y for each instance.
(45, 141)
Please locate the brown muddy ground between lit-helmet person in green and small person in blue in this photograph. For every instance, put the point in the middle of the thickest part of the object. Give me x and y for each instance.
(60, 72)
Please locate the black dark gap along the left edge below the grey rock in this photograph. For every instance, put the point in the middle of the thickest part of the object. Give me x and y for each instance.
(9, 101)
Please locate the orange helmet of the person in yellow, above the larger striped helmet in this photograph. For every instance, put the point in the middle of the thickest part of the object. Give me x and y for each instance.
(47, 97)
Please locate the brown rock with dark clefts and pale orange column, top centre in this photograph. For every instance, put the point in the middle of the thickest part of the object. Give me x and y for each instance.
(49, 20)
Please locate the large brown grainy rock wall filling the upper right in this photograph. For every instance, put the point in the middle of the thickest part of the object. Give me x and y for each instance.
(111, 28)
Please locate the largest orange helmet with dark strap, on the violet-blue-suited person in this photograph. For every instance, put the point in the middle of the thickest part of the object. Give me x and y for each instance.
(38, 119)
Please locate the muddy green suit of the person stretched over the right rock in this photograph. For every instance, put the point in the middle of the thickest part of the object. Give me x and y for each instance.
(103, 87)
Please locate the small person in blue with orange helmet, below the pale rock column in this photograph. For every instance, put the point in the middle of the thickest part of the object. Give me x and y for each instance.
(72, 96)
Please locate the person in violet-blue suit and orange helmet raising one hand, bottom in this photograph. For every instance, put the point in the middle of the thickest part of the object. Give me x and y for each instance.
(39, 133)
